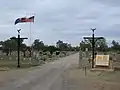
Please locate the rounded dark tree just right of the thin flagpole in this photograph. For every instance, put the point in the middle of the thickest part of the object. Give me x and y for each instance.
(38, 45)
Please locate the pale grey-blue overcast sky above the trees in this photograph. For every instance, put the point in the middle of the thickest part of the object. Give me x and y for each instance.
(67, 20)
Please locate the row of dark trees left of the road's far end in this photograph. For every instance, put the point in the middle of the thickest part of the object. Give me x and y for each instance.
(10, 45)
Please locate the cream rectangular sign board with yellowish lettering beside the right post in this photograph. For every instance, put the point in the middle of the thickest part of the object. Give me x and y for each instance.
(102, 60)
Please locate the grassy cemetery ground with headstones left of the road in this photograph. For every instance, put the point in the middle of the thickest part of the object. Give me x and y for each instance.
(38, 58)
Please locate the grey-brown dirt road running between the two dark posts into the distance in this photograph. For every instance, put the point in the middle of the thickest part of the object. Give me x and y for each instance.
(46, 77)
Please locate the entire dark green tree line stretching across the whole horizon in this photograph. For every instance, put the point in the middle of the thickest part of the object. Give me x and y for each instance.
(10, 45)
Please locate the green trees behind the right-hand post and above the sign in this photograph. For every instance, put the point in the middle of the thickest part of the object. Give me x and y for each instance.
(100, 45)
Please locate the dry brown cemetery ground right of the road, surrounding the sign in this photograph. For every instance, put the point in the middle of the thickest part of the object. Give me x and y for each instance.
(77, 78)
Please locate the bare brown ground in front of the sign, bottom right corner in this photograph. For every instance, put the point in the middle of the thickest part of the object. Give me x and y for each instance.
(93, 80)
